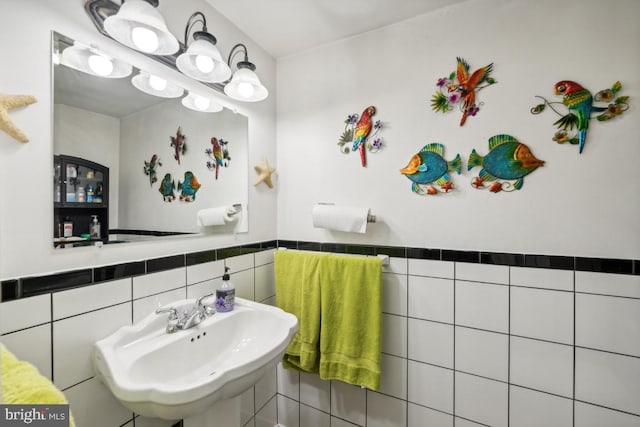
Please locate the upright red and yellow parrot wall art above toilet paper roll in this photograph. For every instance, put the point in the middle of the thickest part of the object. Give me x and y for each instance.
(360, 134)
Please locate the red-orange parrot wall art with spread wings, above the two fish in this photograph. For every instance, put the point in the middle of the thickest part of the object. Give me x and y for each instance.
(460, 89)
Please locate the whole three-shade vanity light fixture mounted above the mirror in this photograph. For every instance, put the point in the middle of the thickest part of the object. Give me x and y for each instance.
(139, 25)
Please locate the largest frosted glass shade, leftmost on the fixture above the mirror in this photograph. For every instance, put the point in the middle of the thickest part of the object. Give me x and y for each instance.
(140, 26)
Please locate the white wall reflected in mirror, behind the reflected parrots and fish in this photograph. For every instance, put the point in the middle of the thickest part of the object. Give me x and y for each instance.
(148, 132)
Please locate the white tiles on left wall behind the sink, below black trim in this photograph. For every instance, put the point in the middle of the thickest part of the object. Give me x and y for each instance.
(55, 331)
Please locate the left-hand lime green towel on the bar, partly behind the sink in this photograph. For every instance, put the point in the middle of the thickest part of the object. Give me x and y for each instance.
(298, 292)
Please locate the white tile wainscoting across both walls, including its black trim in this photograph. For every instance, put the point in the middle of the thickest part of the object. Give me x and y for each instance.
(470, 338)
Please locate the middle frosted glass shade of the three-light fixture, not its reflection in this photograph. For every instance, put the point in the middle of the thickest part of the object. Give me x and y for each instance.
(193, 62)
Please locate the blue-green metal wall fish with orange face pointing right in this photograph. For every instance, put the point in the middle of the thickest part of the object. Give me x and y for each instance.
(505, 166)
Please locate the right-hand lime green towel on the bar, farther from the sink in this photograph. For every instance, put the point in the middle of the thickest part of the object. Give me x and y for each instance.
(351, 313)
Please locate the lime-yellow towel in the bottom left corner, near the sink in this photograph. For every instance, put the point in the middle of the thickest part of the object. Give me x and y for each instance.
(23, 384)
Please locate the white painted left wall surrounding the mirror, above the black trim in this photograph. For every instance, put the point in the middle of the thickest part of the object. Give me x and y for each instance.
(26, 220)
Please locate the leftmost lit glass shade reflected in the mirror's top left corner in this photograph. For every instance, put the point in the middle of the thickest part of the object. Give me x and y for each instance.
(92, 61)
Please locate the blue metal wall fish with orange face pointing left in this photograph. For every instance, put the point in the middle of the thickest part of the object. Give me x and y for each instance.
(429, 167)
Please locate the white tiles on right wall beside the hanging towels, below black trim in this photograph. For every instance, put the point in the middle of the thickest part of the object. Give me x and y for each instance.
(471, 344)
